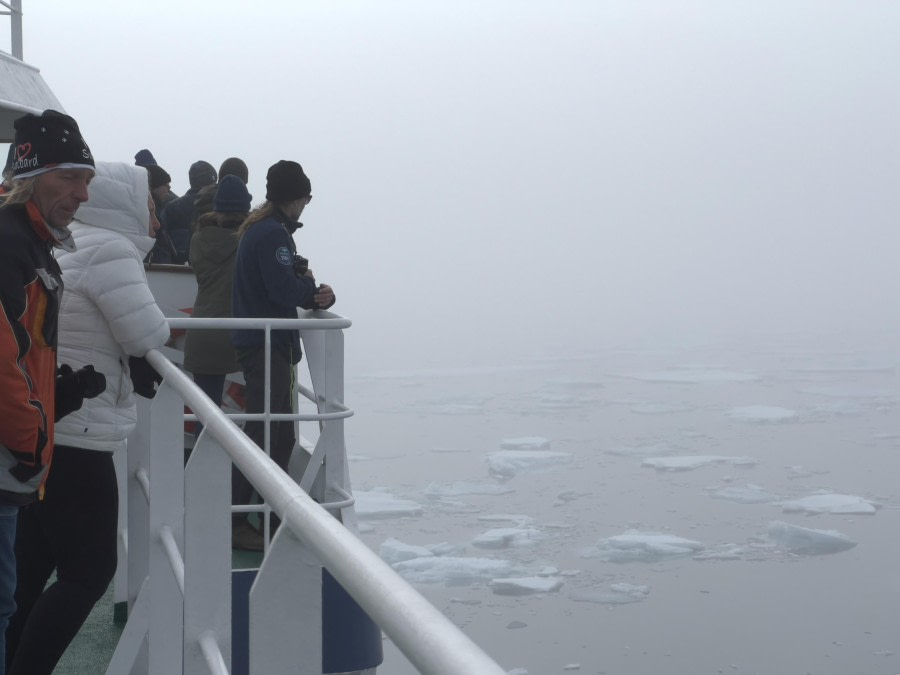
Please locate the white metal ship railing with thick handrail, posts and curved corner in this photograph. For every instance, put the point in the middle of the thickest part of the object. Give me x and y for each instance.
(179, 537)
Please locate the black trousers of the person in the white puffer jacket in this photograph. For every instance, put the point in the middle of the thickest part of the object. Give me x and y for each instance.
(73, 531)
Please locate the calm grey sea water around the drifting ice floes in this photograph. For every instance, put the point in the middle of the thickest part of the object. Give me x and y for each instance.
(803, 420)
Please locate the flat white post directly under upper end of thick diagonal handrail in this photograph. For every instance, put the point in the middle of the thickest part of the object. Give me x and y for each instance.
(166, 510)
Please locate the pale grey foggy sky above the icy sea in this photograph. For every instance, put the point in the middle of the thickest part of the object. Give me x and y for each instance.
(503, 178)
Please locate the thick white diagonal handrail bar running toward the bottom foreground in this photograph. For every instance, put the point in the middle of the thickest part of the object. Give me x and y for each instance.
(428, 638)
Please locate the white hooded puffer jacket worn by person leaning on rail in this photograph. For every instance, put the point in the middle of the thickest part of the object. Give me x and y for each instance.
(107, 312)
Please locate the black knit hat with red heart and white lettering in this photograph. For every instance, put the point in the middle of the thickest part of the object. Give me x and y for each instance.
(48, 141)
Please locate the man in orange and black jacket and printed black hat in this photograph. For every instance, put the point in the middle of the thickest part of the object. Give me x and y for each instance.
(46, 181)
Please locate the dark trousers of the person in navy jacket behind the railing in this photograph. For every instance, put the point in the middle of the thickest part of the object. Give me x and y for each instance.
(282, 438)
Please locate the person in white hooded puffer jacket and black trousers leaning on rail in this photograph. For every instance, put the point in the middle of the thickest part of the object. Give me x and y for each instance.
(108, 317)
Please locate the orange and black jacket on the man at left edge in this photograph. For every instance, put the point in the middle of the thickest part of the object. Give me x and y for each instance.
(30, 290)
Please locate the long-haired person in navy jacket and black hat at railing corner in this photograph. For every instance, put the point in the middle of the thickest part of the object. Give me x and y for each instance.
(271, 280)
